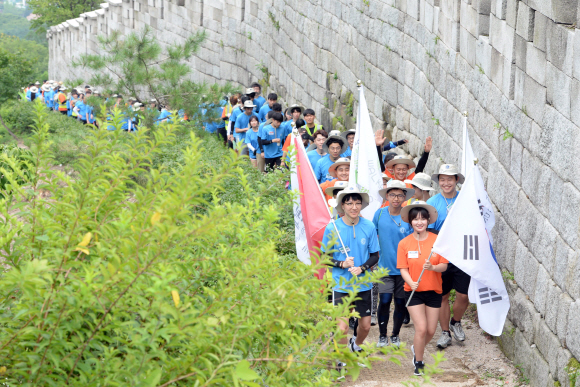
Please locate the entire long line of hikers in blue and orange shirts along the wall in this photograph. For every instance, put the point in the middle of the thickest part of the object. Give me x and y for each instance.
(399, 237)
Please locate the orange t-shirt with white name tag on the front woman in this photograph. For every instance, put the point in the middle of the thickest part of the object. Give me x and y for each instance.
(408, 247)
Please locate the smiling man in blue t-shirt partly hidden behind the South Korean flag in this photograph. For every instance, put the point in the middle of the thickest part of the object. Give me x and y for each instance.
(453, 277)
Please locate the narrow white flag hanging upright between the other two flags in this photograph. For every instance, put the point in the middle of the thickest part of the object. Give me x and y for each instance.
(365, 168)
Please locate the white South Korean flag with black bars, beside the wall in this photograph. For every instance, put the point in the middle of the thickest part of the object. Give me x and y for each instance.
(463, 241)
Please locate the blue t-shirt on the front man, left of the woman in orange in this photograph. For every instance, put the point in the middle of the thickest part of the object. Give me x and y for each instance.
(365, 243)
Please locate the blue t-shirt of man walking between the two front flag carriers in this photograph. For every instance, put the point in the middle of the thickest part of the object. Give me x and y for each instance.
(391, 230)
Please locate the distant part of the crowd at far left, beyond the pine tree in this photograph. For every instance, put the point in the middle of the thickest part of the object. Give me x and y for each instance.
(75, 103)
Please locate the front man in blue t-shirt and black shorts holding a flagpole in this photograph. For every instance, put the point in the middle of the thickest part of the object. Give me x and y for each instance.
(359, 254)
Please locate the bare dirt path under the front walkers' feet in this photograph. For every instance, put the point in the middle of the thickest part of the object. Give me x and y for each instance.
(476, 362)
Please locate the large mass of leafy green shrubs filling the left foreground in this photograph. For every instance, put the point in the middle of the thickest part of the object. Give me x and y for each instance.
(110, 282)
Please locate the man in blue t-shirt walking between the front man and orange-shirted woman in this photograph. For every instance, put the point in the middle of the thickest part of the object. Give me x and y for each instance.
(391, 230)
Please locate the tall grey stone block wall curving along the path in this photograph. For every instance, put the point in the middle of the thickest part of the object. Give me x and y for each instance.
(514, 66)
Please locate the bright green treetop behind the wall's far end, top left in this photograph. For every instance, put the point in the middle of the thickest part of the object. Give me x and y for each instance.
(53, 12)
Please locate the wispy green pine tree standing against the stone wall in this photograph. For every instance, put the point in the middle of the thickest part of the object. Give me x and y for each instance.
(138, 66)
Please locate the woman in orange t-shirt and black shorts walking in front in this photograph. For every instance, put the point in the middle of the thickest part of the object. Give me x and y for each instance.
(412, 255)
